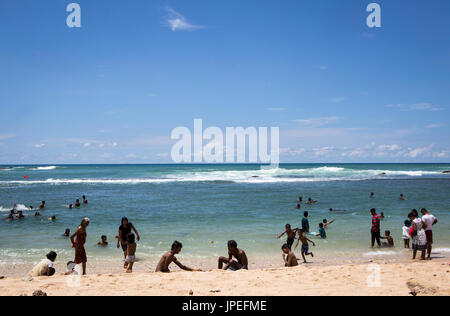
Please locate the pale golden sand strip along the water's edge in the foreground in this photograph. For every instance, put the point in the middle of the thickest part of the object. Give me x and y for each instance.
(398, 279)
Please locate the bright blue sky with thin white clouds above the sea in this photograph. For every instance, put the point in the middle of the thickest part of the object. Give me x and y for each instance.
(113, 90)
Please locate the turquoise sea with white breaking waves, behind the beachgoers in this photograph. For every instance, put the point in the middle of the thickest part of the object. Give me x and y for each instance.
(204, 206)
